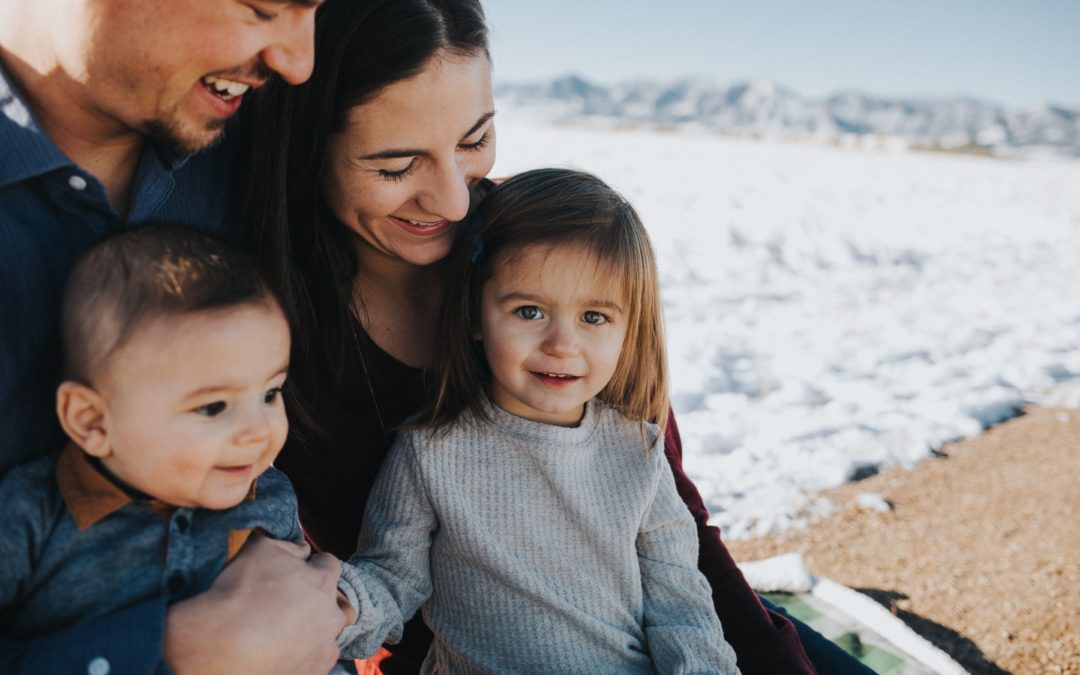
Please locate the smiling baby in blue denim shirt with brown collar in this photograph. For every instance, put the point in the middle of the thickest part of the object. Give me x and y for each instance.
(175, 354)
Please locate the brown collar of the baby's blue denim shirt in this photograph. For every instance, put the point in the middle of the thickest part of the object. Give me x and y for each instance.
(90, 495)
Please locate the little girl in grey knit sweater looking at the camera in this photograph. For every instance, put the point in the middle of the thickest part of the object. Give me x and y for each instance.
(532, 512)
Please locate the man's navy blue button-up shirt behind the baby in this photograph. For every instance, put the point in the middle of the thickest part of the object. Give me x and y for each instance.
(51, 210)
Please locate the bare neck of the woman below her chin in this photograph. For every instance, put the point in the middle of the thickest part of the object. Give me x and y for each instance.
(398, 305)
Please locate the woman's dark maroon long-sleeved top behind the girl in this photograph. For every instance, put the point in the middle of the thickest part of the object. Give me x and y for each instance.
(333, 472)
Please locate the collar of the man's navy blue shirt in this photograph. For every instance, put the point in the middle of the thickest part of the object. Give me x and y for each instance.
(30, 152)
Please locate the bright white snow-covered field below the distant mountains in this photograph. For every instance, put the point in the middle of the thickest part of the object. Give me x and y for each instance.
(830, 312)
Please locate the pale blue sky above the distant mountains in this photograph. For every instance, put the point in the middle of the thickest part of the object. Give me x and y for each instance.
(1008, 52)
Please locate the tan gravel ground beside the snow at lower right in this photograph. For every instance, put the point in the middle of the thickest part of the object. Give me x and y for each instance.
(978, 550)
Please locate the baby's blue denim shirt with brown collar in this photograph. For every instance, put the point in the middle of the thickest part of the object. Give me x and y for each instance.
(76, 546)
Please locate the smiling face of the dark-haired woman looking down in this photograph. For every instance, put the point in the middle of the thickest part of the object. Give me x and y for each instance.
(400, 174)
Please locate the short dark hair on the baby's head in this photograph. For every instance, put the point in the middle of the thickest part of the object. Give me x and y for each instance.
(145, 274)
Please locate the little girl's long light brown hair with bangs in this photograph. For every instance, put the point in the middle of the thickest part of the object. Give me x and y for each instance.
(552, 208)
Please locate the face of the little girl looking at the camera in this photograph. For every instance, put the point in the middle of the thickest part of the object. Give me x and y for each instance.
(552, 331)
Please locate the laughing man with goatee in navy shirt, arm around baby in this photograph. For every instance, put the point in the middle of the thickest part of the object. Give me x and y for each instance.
(102, 103)
